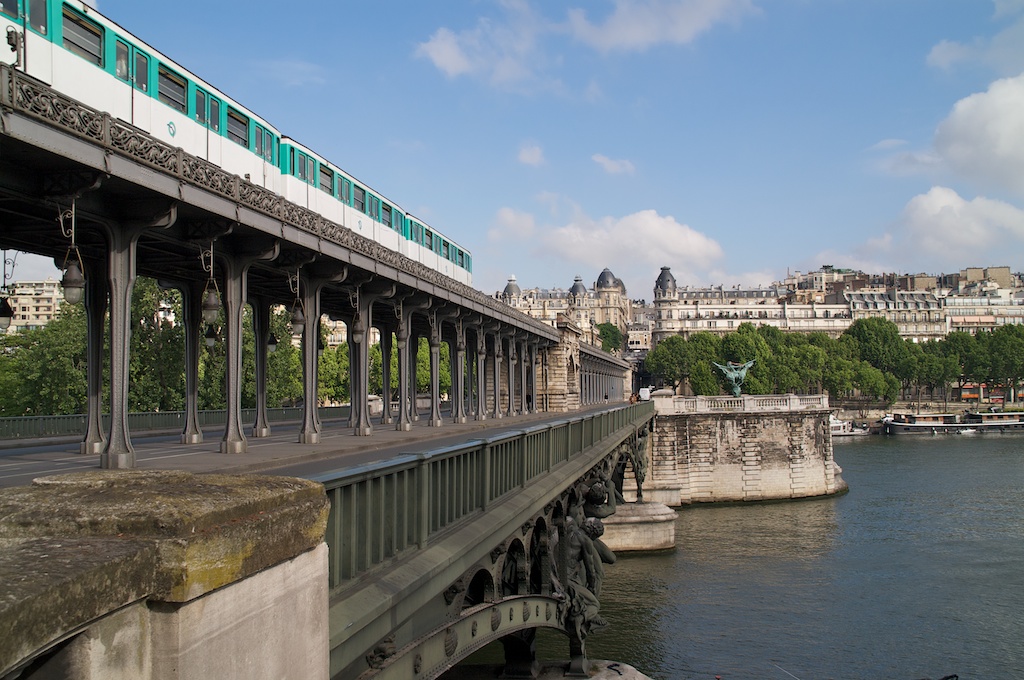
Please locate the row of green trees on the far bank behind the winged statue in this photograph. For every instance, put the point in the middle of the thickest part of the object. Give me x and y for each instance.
(870, 359)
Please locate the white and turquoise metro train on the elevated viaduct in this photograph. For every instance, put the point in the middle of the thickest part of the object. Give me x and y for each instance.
(81, 54)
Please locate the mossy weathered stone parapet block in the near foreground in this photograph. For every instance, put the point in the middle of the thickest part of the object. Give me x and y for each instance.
(162, 575)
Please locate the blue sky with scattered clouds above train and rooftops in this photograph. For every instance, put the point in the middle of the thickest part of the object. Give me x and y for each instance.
(733, 141)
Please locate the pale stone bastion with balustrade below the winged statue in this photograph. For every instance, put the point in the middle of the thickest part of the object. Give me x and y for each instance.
(742, 455)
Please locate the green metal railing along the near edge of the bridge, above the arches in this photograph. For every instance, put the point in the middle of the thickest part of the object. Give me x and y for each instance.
(380, 511)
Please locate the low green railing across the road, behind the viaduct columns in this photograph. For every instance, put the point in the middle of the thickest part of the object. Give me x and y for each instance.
(32, 428)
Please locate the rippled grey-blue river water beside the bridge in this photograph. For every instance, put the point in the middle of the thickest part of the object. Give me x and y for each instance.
(917, 573)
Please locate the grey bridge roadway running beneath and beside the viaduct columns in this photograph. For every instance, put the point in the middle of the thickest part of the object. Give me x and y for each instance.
(277, 454)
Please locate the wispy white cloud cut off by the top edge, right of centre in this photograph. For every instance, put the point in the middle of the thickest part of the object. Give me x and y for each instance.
(638, 25)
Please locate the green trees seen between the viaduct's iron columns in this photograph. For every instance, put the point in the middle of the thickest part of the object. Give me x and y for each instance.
(44, 371)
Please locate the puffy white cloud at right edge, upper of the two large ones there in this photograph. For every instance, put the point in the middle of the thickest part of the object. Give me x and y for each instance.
(984, 137)
